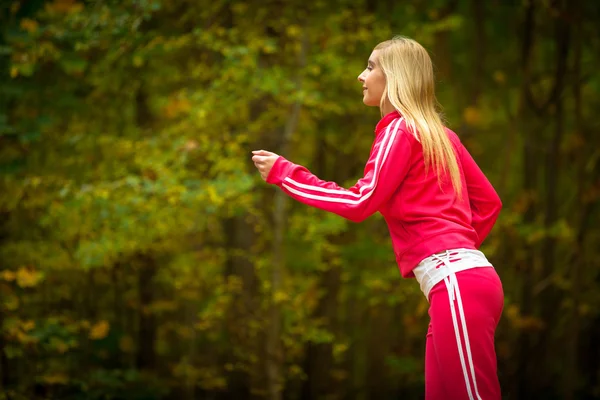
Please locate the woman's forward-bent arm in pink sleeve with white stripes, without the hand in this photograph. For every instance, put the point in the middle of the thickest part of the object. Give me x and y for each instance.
(386, 168)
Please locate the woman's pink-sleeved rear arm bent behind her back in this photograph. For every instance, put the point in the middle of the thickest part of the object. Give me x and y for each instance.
(485, 202)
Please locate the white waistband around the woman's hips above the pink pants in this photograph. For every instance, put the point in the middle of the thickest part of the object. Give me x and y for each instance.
(436, 267)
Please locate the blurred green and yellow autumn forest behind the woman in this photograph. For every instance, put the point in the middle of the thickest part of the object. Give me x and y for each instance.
(142, 257)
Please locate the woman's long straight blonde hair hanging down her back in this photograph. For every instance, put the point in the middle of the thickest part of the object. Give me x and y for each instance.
(410, 89)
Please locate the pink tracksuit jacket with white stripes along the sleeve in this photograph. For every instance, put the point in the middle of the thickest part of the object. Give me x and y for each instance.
(423, 216)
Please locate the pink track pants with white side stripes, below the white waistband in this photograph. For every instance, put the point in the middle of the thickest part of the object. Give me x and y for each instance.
(460, 359)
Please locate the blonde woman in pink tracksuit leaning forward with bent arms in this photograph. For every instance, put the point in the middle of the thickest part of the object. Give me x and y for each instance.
(439, 208)
